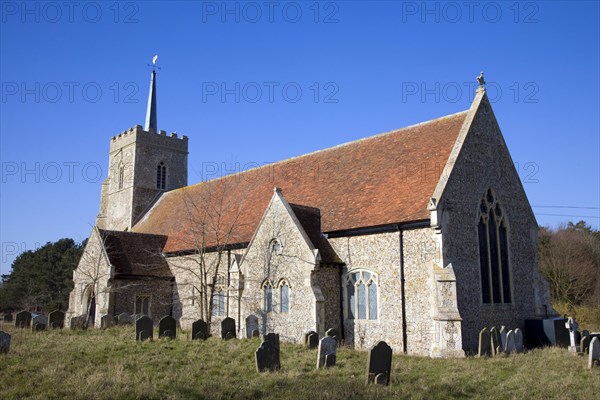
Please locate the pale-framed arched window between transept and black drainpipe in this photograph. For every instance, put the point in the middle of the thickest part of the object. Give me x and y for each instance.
(361, 295)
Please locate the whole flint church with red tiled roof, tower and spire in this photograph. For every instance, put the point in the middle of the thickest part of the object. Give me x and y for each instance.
(420, 237)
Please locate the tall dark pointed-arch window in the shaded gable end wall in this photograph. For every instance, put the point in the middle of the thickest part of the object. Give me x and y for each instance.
(492, 232)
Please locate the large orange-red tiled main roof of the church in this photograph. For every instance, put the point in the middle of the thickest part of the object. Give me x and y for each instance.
(384, 179)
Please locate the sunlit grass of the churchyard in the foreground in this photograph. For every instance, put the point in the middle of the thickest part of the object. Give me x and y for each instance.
(111, 365)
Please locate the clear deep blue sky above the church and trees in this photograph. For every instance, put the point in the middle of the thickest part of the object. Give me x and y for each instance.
(256, 82)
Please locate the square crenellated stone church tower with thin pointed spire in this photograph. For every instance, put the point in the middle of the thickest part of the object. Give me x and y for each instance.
(143, 164)
